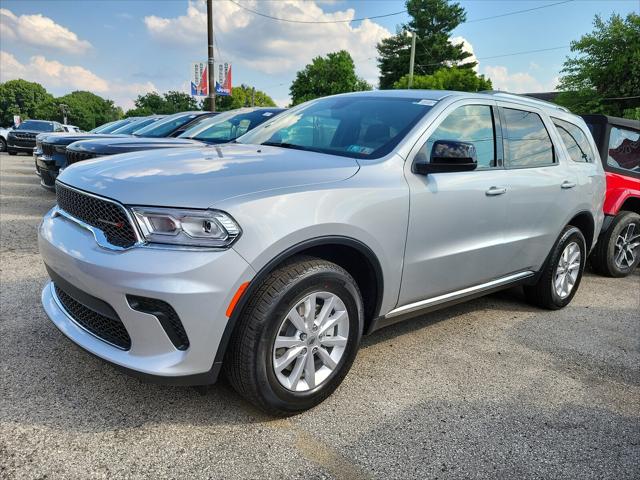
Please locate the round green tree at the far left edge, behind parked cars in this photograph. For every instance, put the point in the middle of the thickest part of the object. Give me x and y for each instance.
(20, 97)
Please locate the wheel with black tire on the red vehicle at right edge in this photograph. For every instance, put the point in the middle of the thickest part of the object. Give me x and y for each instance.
(604, 256)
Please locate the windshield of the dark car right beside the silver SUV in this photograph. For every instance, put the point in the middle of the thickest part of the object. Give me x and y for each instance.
(228, 126)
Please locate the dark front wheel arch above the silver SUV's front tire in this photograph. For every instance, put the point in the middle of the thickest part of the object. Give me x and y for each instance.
(351, 254)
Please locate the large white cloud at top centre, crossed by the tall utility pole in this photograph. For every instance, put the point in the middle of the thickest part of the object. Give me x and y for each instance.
(270, 46)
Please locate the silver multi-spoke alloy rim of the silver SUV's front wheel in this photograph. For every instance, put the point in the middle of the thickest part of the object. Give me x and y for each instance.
(310, 342)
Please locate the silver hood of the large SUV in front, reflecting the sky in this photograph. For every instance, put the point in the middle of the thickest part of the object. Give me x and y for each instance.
(202, 177)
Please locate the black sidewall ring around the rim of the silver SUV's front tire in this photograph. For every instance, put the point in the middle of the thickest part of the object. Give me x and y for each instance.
(269, 386)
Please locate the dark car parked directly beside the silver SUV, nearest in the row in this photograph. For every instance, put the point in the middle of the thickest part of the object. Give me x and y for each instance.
(218, 129)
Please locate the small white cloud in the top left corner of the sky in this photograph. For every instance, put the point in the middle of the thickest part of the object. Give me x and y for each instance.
(40, 31)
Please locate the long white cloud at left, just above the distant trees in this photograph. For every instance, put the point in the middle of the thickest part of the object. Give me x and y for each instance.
(54, 75)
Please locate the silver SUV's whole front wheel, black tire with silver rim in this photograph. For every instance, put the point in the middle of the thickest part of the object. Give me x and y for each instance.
(250, 363)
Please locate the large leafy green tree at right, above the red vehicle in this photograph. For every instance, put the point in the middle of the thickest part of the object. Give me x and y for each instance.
(605, 75)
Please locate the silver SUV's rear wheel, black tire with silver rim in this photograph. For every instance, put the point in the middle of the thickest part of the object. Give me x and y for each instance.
(545, 292)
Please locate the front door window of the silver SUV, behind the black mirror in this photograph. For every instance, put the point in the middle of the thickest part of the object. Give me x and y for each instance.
(469, 123)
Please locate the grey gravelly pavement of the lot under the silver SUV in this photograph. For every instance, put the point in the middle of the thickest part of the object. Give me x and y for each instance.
(488, 389)
